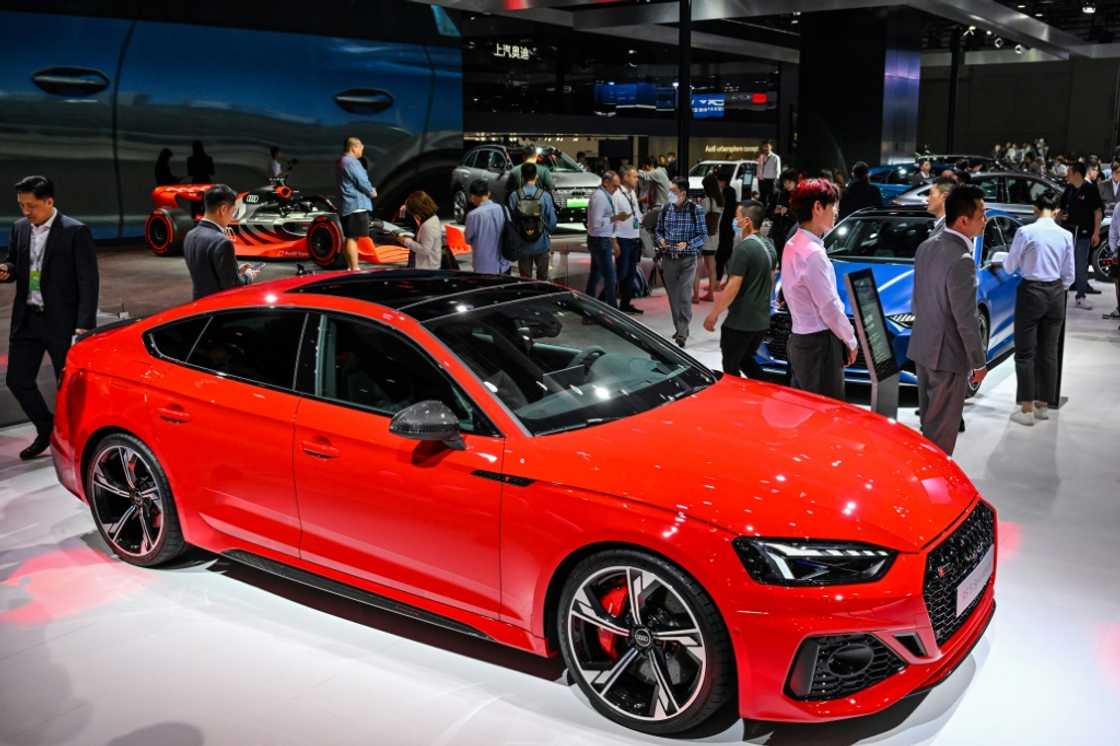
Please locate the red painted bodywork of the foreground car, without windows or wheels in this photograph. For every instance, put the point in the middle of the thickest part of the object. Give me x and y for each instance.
(683, 481)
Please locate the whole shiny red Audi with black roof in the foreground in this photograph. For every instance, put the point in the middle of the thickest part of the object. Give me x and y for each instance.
(520, 463)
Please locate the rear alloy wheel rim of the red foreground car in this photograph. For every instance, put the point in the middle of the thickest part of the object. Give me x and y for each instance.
(127, 500)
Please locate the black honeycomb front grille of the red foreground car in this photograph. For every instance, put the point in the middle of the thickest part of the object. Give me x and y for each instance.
(951, 563)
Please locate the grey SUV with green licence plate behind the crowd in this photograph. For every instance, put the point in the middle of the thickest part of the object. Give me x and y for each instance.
(493, 164)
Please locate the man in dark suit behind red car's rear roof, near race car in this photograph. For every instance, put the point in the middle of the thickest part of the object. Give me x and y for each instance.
(209, 250)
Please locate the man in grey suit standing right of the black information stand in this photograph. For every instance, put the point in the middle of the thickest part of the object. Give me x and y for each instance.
(946, 342)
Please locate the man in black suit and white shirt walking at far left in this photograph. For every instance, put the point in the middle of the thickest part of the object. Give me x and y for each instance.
(54, 265)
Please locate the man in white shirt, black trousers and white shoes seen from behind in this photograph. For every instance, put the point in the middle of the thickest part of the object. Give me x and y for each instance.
(1043, 254)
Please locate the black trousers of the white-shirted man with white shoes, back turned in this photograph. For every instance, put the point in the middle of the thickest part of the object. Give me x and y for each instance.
(1040, 310)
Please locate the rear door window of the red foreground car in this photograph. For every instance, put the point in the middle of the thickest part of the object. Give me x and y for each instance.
(258, 346)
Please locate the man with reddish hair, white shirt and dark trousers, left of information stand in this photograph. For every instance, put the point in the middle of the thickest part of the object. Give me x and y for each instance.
(824, 341)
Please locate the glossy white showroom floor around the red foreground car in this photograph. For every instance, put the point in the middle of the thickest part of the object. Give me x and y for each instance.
(94, 651)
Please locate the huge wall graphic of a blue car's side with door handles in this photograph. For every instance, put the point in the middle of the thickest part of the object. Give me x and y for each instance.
(95, 99)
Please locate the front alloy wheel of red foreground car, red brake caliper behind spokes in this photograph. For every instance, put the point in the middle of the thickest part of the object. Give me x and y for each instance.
(637, 644)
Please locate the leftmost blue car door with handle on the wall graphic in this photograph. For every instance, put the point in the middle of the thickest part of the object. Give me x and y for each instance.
(58, 87)
